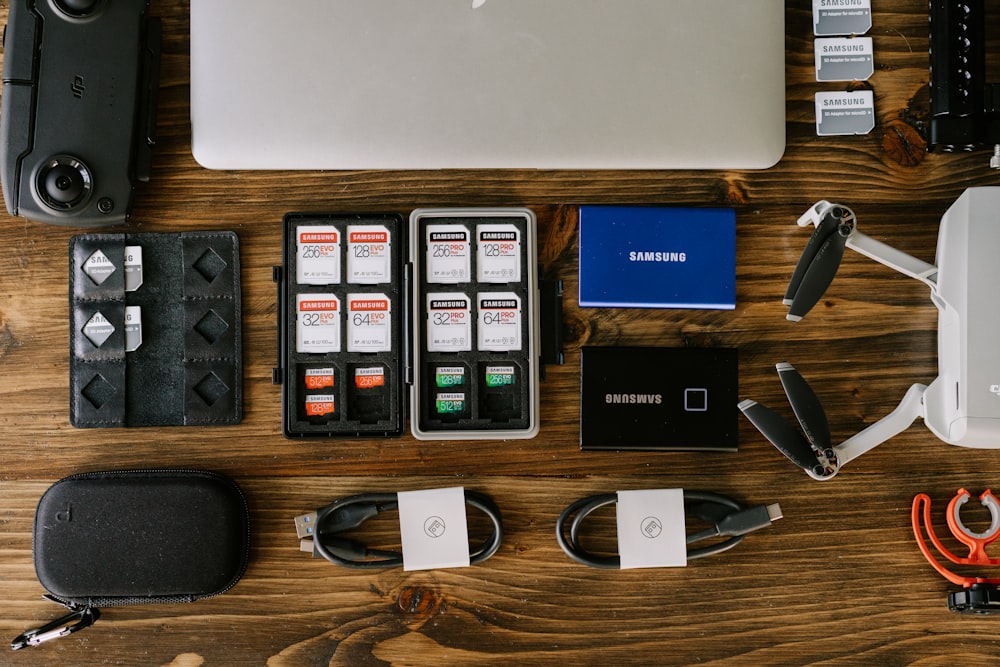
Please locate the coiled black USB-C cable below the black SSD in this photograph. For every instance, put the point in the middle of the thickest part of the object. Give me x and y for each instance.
(728, 519)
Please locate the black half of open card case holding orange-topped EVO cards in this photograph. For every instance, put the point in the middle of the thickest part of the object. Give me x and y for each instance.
(342, 349)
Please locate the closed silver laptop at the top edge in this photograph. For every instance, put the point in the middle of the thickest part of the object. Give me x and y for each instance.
(425, 84)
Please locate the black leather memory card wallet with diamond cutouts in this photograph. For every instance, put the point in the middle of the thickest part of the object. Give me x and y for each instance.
(155, 329)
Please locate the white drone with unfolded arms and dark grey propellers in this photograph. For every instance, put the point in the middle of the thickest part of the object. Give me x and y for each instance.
(962, 405)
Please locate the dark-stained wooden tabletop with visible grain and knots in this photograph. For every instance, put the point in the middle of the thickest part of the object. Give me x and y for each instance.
(838, 580)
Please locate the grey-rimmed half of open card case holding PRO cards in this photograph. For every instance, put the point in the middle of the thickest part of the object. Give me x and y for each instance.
(475, 324)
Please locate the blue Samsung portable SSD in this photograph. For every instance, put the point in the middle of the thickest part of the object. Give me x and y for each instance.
(657, 257)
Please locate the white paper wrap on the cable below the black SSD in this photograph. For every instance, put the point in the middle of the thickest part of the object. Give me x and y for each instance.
(651, 529)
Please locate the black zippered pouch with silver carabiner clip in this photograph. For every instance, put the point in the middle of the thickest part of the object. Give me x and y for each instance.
(136, 537)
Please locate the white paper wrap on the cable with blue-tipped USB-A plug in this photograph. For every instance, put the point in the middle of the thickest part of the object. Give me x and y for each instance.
(433, 528)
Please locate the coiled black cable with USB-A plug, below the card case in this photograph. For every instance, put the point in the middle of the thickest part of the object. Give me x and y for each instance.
(320, 531)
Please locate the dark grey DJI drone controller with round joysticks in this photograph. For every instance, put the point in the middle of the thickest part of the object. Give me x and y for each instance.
(78, 118)
